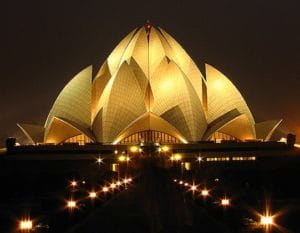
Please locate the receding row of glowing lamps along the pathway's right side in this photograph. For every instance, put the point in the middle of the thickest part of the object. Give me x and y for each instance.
(266, 220)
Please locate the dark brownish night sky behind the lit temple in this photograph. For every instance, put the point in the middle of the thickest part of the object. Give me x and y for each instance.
(45, 43)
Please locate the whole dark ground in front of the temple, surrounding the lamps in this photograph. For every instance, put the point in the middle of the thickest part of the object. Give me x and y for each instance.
(153, 202)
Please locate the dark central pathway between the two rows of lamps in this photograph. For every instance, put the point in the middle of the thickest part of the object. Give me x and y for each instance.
(151, 205)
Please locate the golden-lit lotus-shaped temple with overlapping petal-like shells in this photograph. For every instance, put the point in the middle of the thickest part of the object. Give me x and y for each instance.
(149, 90)
